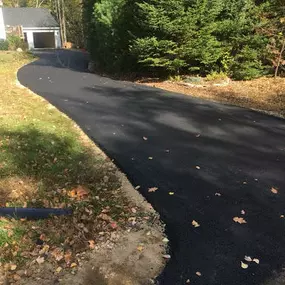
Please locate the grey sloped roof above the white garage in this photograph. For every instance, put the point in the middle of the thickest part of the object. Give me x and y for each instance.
(29, 17)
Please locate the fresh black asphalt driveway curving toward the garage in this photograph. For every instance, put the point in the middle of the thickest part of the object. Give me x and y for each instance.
(217, 159)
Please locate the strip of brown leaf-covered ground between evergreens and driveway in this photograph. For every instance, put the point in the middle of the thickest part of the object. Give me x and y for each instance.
(263, 94)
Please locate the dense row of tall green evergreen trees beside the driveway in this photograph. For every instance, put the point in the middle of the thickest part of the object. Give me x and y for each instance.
(179, 36)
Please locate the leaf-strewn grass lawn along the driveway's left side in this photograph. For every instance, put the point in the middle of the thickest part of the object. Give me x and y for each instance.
(46, 161)
